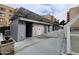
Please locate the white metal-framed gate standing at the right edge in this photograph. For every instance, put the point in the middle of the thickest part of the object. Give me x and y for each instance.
(72, 34)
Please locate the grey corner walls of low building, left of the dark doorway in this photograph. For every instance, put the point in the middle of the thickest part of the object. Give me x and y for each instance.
(17, 30)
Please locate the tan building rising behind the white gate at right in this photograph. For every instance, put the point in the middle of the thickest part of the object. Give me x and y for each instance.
(73, 12)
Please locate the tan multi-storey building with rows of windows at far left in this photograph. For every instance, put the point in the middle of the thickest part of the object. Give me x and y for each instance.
(5, 14)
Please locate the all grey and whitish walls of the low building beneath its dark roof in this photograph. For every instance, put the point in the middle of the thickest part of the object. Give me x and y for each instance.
(18, 29)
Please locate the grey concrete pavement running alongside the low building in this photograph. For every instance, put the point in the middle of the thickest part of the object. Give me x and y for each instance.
(46, 44)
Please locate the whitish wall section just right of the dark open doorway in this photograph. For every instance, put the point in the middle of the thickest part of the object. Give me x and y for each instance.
(37, 29)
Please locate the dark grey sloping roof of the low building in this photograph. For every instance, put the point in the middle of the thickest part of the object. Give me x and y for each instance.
(24, 13)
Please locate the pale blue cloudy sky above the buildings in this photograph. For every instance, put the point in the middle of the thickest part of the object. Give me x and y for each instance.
(58, 10)
